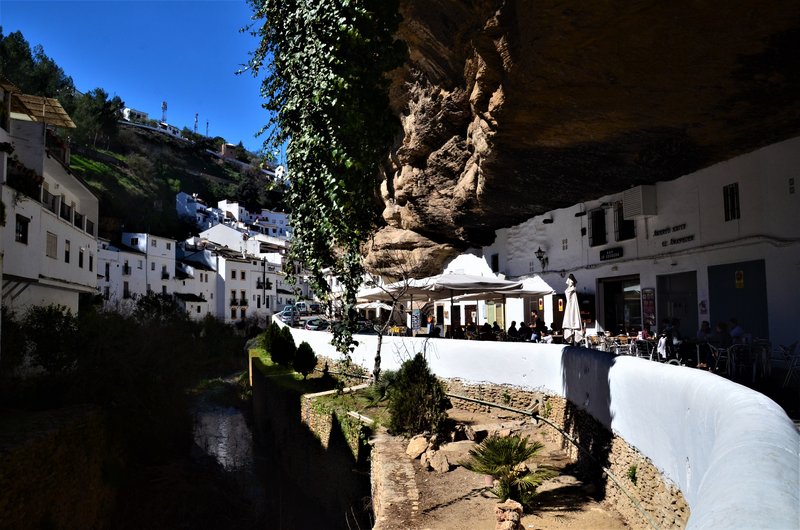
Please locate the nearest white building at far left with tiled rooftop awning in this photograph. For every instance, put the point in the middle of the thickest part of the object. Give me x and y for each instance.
(49, 239)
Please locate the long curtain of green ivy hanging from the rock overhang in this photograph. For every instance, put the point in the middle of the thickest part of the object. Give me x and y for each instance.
(326, 86)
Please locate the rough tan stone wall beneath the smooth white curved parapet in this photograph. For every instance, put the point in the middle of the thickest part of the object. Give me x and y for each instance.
(661, 500)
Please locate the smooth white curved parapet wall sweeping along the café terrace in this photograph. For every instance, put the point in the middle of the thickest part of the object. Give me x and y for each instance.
(732, 451)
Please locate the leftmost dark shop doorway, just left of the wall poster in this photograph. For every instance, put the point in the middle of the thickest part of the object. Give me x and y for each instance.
(622, 304)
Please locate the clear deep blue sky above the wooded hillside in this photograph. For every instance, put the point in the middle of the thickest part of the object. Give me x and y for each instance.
(183, 52)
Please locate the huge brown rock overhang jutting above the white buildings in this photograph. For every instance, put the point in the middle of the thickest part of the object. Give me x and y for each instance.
(513, 108)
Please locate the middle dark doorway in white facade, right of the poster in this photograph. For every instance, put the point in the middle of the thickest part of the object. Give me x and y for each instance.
(677, 298)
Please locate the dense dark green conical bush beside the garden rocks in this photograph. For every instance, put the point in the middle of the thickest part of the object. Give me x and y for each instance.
(417, 402)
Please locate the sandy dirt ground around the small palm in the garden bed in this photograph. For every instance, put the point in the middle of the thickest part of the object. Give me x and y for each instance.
(459, 500)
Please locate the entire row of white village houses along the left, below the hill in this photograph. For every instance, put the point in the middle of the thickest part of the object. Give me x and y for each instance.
(232, 270)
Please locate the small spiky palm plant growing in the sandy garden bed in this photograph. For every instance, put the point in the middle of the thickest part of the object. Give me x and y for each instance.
(504, 459)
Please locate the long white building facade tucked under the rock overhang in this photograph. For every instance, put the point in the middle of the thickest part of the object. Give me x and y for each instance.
(718, 243)
